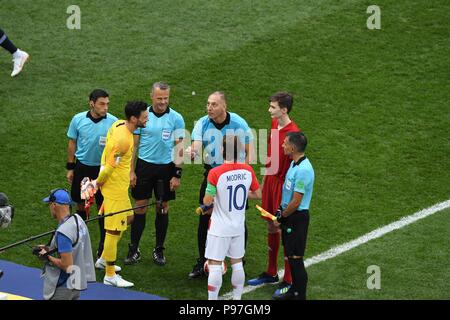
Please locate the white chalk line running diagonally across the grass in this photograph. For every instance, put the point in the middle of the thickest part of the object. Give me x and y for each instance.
(377, 233)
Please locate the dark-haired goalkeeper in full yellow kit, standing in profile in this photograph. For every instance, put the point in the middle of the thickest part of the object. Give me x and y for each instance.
(114, 181)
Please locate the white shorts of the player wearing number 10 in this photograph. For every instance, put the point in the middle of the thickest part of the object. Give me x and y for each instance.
(217, 248)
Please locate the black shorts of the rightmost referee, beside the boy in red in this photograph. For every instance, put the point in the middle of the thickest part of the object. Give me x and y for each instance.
(295, 241)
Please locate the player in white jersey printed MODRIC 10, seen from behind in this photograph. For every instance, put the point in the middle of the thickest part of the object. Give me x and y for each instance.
(229, 187)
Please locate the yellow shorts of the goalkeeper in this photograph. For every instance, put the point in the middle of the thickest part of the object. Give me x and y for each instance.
(117, 222)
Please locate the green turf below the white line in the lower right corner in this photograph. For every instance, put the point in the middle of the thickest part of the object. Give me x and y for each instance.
(412, 264)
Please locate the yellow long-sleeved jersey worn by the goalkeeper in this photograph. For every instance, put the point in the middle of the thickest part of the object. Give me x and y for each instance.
(116, 162)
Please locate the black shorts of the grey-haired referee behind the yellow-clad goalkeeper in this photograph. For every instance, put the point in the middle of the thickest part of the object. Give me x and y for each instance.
(148, 175)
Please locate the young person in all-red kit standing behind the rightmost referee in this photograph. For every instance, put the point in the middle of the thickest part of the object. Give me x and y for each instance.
(277, 166)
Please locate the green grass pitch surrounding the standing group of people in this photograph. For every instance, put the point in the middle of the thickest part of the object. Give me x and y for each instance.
(373, 103)
